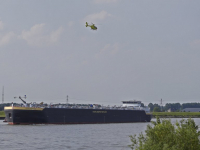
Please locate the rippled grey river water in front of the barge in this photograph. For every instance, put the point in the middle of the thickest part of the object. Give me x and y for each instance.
(72, 137)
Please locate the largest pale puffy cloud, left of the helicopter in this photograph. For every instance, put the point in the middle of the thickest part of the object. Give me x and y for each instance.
(38, 35)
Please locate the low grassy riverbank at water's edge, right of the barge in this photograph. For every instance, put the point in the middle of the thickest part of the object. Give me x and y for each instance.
(176, 114)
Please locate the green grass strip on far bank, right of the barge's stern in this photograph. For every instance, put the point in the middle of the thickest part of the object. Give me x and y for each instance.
(177, 114)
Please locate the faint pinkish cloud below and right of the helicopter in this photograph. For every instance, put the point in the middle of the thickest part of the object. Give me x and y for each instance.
(108, 49)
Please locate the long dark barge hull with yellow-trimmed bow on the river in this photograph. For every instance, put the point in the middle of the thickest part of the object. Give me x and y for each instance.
(63, 114)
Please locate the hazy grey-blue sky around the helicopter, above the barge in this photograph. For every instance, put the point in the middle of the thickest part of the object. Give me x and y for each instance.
(142, 50)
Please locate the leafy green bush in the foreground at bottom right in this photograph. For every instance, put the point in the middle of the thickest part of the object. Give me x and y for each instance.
(163, 135)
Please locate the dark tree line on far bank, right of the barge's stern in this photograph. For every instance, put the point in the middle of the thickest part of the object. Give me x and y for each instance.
(173, 106)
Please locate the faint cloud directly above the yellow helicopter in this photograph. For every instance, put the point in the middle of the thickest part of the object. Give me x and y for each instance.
(97, 16)
